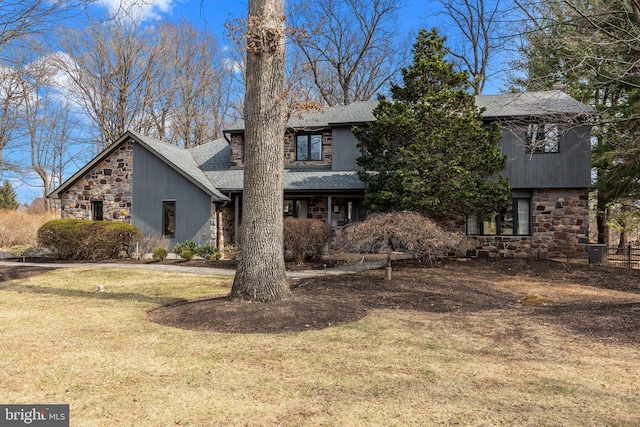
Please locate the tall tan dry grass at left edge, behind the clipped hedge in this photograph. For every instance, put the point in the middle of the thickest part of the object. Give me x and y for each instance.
(20, 228)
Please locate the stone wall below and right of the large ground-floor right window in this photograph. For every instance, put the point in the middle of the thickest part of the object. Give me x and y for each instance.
(559, 227)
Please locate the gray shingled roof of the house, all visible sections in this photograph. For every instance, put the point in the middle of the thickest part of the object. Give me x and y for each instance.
(208, 165)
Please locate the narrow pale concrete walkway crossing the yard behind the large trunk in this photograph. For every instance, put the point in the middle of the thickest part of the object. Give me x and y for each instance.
(295, 275)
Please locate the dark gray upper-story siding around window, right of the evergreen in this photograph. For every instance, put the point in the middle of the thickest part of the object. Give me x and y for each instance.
(569, 168)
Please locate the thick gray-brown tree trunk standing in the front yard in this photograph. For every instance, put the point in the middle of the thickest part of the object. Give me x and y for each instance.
(260, 275)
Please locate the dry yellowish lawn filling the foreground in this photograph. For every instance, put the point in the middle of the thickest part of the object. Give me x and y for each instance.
(63, 342)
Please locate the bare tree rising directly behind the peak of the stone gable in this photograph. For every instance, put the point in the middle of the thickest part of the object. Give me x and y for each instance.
(108, 66)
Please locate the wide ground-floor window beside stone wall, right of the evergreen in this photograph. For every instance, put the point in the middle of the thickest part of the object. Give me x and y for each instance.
(513, 221)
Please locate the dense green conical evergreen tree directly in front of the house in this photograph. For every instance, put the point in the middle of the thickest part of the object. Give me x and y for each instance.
(428, 150)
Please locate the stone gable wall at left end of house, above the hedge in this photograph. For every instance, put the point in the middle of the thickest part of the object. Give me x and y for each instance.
(110, 182)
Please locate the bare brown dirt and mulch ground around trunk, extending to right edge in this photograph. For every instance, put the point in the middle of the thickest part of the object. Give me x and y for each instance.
(597, 301)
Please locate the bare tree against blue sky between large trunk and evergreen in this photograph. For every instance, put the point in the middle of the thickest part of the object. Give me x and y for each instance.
(350, 47)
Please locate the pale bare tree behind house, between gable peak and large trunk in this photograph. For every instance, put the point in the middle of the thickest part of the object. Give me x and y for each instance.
(190, 90)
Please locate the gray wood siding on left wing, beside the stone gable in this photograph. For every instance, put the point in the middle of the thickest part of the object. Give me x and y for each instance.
(153, 182)
